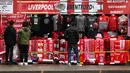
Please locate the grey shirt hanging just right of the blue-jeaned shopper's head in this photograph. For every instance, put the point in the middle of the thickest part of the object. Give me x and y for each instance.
(80, 22)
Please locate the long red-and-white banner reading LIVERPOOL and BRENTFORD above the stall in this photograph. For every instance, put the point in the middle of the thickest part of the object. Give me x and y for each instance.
(63, 7)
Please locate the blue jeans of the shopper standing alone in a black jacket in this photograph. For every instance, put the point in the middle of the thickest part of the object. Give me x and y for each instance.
(75, 48)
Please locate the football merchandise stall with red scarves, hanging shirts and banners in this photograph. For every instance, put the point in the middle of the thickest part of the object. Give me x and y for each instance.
(102, 25)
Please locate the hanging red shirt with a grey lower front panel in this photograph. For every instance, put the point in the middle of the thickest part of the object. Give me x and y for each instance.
(103, 22)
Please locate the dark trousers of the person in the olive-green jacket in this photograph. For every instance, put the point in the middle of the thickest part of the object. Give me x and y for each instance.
(23, 52)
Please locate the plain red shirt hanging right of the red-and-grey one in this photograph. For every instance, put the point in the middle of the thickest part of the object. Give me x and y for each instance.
(113, 23)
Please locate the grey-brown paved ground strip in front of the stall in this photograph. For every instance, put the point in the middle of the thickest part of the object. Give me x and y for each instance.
(52, 68)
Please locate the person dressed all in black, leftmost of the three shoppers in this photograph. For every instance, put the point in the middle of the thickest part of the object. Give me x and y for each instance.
(10, 41)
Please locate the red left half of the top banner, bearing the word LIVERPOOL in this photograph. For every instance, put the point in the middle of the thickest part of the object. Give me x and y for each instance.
(36, 7)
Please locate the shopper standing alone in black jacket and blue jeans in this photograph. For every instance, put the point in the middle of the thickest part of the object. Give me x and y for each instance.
(72, 36)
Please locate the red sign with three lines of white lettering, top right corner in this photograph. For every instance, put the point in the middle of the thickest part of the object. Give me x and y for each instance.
(116, 6)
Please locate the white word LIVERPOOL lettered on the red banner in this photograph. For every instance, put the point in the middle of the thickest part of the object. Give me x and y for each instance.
(40, 7)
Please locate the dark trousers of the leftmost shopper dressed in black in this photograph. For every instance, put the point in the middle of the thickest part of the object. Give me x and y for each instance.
(9, 53)
